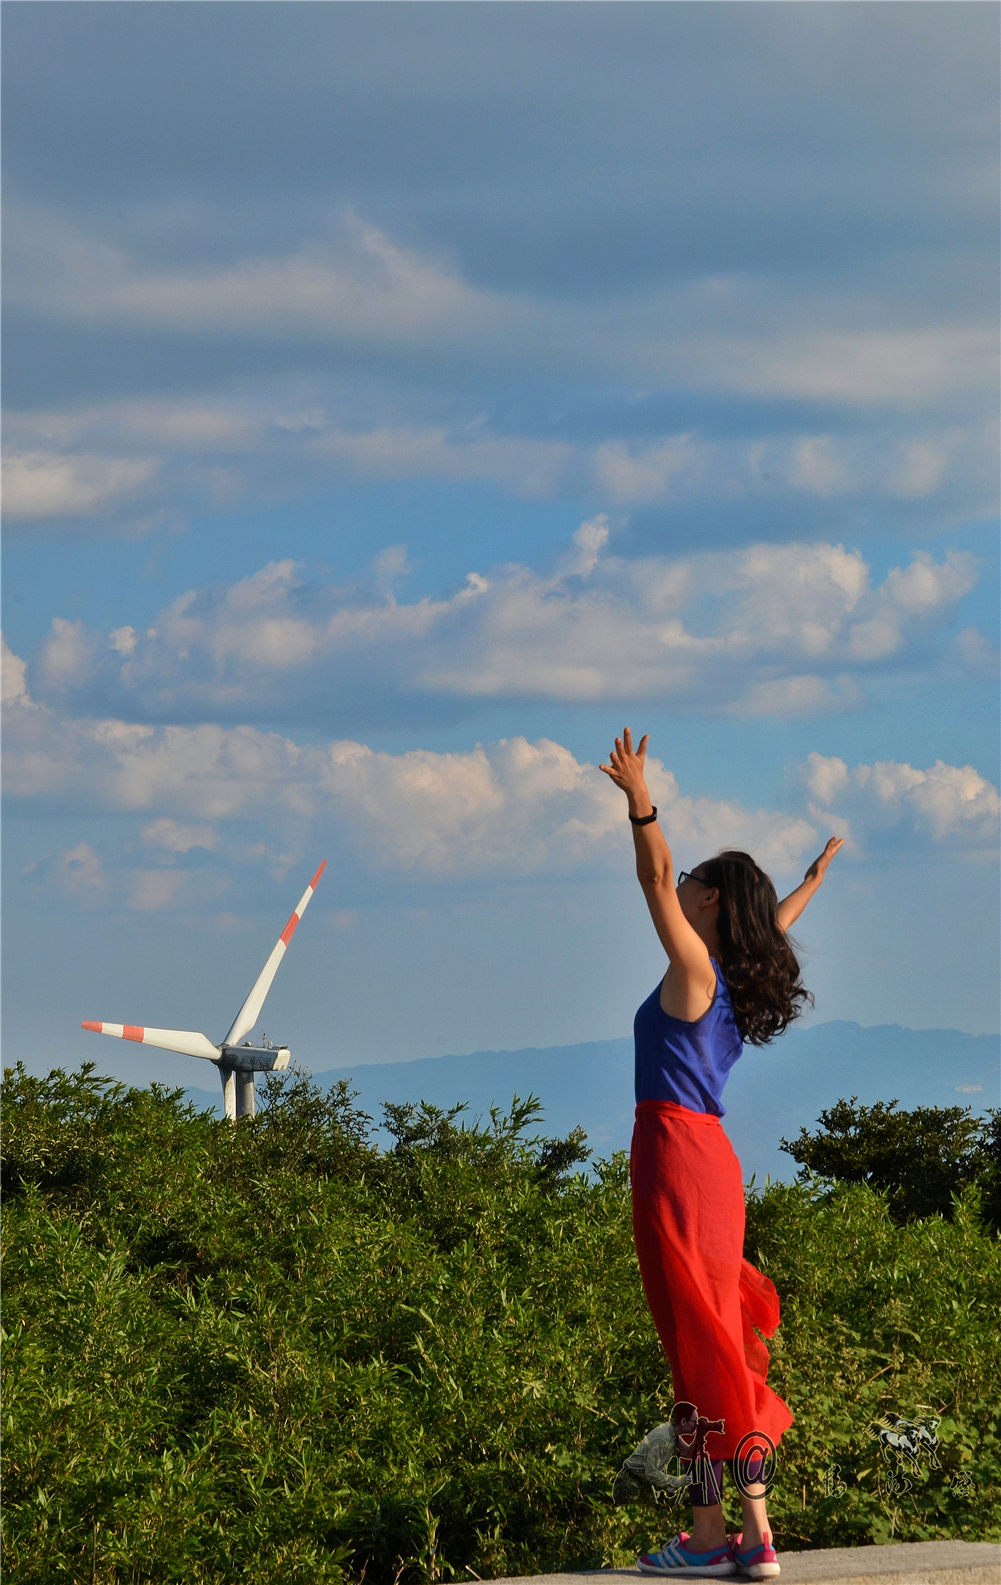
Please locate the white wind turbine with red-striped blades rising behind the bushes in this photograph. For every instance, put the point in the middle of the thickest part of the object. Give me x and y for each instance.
(237, 1064)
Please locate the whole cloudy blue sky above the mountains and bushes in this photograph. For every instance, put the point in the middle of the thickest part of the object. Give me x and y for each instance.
(398, 399)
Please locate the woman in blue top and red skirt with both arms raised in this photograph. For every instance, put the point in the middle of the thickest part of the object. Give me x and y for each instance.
(733, 979)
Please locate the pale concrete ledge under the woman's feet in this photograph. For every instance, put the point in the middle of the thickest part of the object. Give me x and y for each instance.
(908, 1564)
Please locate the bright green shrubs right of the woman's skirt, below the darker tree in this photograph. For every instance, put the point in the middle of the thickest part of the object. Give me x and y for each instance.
(881, 1320)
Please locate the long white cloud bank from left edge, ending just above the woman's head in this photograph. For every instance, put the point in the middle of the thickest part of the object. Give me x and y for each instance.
(509, 809)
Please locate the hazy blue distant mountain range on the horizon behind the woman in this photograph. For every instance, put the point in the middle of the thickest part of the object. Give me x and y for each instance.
(772, 1093)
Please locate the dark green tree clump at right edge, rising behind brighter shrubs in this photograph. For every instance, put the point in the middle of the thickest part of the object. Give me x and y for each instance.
(921, 1158)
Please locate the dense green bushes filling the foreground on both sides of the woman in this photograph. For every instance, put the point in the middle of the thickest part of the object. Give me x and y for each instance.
(275, 1353)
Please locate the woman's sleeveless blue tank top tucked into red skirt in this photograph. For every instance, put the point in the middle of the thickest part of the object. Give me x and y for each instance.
(687, 1063)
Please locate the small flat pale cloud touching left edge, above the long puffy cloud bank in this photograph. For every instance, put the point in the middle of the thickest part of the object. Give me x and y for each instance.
(50, 484)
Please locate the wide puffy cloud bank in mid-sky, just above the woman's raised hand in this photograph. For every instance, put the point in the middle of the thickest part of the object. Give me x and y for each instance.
(785, 630)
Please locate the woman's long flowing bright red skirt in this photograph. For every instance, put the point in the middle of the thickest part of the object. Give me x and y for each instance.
(688, 1216)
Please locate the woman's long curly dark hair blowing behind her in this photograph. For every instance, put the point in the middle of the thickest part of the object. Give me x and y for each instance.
(758, 961)
